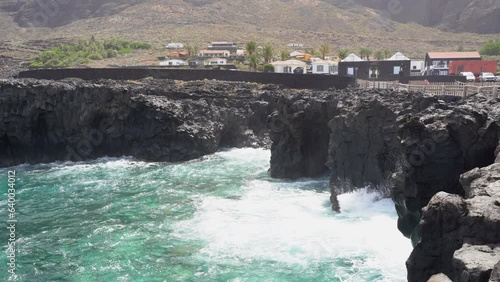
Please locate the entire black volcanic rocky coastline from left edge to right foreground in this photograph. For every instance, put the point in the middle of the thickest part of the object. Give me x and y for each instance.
(437, 157)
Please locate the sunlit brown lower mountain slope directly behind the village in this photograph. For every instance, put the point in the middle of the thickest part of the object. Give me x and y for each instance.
(341, 24)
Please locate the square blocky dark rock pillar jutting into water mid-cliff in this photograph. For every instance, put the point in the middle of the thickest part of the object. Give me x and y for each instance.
(299, 134)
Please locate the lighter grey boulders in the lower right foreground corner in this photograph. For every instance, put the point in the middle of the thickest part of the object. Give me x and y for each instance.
(460, 236)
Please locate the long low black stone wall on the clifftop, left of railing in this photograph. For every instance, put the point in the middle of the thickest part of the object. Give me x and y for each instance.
(301, 81)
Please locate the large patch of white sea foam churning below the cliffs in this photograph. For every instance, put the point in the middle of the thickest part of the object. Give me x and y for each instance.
(297, 226)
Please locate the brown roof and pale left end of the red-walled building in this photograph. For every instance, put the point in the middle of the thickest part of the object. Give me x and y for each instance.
(437, 63)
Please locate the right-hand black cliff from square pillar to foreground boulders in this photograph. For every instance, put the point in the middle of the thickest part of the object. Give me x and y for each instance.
(418, 147)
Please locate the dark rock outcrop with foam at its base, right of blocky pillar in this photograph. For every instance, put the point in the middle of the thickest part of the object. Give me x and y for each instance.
(364, 147)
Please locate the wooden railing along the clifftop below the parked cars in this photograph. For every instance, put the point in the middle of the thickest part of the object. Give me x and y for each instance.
(458, 89)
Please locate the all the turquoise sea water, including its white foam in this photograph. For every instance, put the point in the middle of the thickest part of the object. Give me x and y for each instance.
(217, 218)
